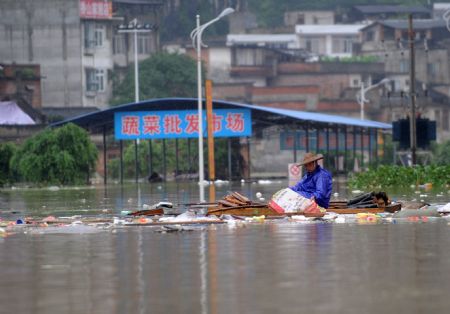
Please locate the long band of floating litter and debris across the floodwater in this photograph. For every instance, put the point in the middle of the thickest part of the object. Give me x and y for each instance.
(190, 219)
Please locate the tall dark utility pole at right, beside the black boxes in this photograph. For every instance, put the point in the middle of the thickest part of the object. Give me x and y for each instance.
(412, 91)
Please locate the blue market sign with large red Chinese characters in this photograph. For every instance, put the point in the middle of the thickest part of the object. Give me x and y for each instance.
(180, 124)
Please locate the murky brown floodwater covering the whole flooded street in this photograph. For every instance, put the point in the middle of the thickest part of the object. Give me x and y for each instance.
(272, 267)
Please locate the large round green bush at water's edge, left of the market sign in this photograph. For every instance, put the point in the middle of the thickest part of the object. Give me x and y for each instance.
(56, 156)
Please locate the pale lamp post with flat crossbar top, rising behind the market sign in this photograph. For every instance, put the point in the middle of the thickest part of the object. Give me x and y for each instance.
(135, 27)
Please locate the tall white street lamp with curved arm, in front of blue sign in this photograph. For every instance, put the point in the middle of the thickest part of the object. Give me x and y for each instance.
(196, 36)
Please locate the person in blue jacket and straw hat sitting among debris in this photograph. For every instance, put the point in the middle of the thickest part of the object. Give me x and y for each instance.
(316, 184)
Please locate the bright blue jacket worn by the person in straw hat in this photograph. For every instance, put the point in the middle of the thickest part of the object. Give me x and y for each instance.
(318, 184)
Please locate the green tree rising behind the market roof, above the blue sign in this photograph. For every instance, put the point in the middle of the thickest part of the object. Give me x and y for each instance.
(161, 75)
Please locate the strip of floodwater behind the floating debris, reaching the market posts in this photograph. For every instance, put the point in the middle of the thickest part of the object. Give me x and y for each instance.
(115, 198)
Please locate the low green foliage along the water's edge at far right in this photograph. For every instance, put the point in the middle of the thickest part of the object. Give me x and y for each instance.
(399, 176)
